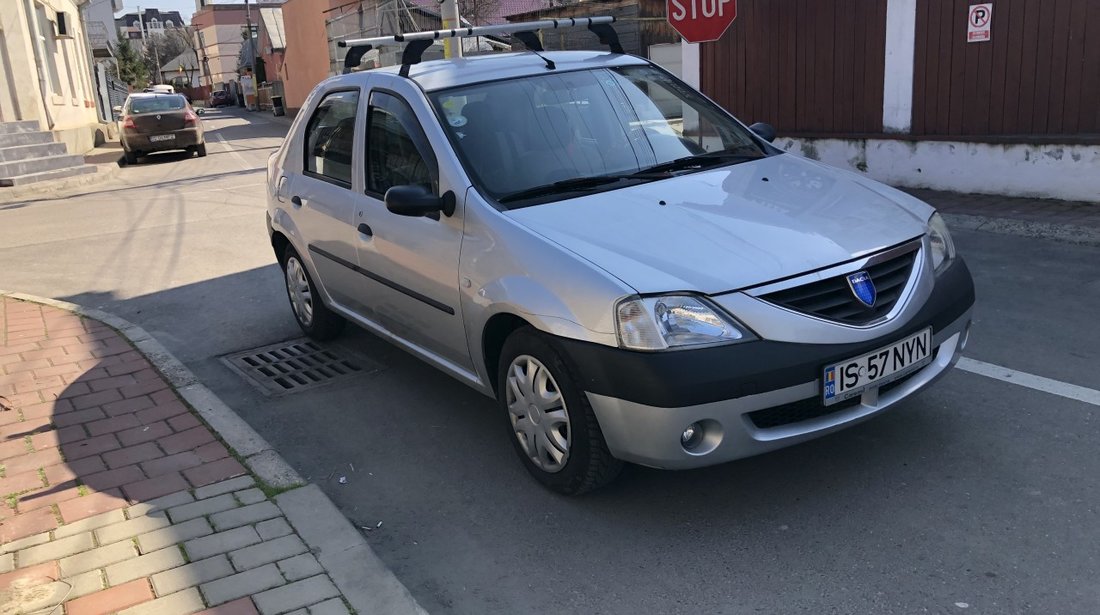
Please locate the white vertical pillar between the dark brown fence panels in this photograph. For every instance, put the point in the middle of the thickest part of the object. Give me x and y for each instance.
(898, 84)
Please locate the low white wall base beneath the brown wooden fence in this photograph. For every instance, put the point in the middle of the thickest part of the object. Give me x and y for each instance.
(1058, 172)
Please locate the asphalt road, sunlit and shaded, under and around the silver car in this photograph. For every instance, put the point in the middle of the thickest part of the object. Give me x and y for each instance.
(977, 497)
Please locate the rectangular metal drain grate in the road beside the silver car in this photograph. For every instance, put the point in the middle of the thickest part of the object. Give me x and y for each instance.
(292, 367)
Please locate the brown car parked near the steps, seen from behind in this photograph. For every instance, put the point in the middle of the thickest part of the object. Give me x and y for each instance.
(159, 123)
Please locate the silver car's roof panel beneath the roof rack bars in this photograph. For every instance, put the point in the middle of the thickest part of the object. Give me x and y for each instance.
(443, 74)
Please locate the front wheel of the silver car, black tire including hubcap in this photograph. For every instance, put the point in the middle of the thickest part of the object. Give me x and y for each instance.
(587, 464)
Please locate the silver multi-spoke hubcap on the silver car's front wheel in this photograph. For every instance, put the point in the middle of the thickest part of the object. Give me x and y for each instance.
(538, 414)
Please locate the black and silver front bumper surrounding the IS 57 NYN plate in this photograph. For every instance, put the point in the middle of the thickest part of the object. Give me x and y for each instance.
(634, 398)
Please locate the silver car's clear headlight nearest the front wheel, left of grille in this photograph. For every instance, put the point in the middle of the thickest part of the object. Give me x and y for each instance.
(675, 322)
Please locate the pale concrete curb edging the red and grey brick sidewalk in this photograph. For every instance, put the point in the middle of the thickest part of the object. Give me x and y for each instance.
(358, 573)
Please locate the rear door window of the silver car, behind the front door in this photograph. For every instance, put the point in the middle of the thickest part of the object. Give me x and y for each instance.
(331, 137)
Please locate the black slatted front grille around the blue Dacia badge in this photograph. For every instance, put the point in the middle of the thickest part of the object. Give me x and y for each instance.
(832, 299)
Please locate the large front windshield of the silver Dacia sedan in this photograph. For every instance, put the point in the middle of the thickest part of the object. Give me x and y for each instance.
(548, 136)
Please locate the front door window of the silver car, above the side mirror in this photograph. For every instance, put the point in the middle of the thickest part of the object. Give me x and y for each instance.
(398, 151)
